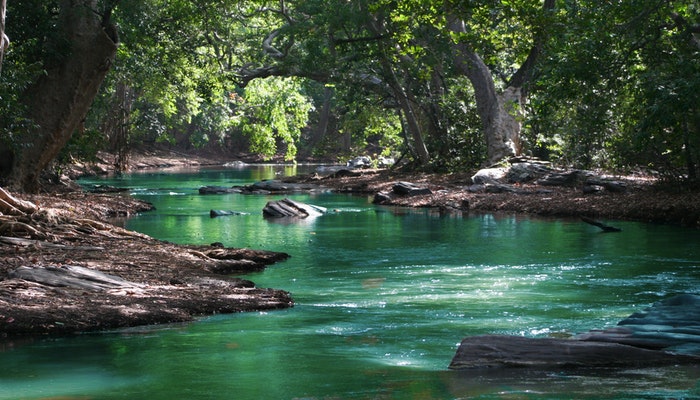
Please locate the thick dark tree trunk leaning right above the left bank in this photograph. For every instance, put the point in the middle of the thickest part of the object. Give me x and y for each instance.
(59, 100)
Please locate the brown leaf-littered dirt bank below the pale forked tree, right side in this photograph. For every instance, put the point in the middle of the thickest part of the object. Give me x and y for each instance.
(642, 200)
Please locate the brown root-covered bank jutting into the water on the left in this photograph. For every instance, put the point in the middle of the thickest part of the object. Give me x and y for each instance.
(64, 269)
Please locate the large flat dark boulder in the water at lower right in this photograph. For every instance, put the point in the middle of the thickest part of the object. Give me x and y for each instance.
(668, 332)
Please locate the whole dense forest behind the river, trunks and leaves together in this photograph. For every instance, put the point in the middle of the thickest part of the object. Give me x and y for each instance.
(445, 85)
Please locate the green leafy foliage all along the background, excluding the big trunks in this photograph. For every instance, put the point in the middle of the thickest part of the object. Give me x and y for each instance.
(618, 85)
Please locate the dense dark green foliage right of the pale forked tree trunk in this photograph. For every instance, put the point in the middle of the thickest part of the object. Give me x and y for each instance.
(622, 91)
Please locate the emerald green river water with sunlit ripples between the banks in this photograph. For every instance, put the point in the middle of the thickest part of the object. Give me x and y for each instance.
(383, 297)
